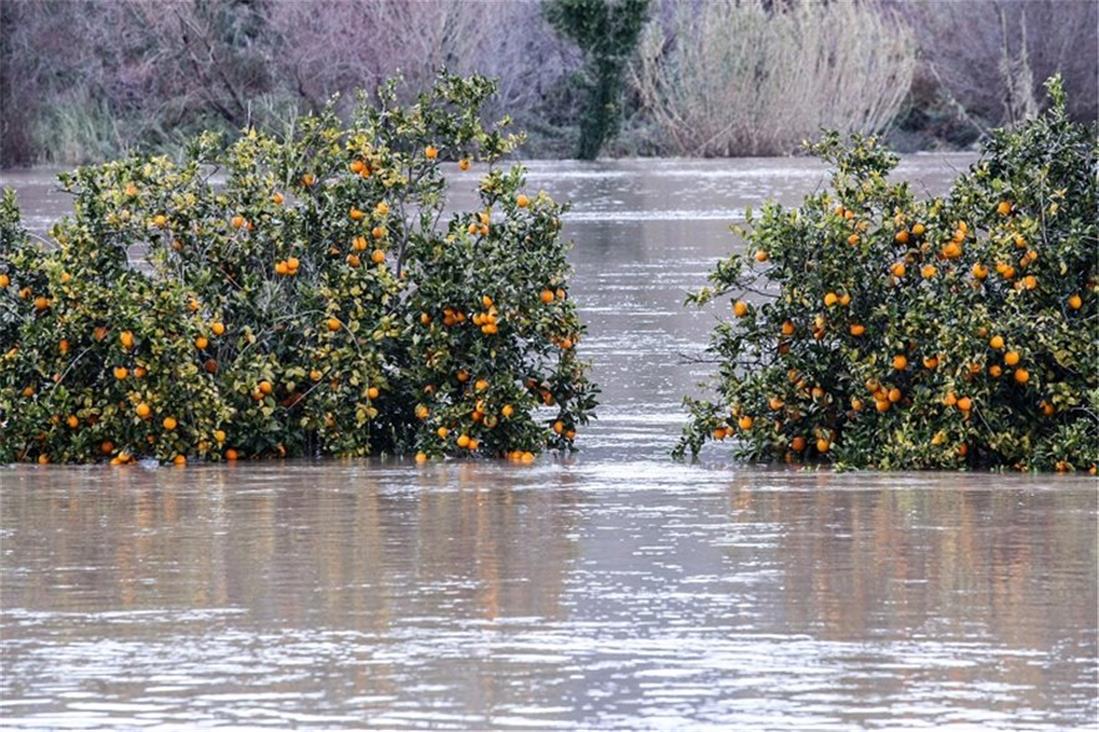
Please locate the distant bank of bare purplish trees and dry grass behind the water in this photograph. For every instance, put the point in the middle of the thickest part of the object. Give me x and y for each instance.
(83, 81)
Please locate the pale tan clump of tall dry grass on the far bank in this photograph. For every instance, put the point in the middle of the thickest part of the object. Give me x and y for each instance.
(734, 77)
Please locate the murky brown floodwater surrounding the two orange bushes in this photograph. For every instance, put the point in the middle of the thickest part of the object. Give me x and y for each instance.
(612, 590)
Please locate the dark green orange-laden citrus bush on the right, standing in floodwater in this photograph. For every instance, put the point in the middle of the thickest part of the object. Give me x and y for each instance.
(875, 330)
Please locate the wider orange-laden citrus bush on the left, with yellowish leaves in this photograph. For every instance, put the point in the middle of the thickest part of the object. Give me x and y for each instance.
(296, 297)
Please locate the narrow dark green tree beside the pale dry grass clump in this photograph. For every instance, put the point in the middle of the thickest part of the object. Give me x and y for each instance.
(607, 31)
